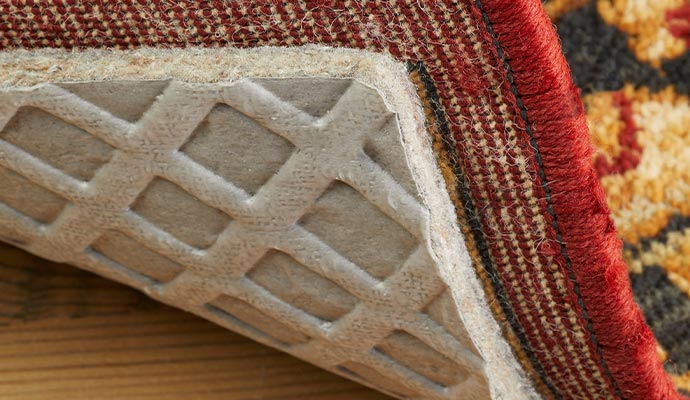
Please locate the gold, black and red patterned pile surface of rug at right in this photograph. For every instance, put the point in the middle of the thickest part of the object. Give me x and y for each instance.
(631, 61)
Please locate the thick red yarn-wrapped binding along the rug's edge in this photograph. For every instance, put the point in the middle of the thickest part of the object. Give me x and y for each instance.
(555, 112)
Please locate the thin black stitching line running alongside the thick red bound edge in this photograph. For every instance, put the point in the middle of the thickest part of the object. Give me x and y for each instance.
(547, 192)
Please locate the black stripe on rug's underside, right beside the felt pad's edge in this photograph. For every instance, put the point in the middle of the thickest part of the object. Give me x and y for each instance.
(475, 222)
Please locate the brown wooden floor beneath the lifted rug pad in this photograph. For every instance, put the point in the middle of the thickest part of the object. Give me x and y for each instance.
(68, 334)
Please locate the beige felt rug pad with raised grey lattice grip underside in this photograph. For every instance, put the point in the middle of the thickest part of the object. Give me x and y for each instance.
(290, 195)
